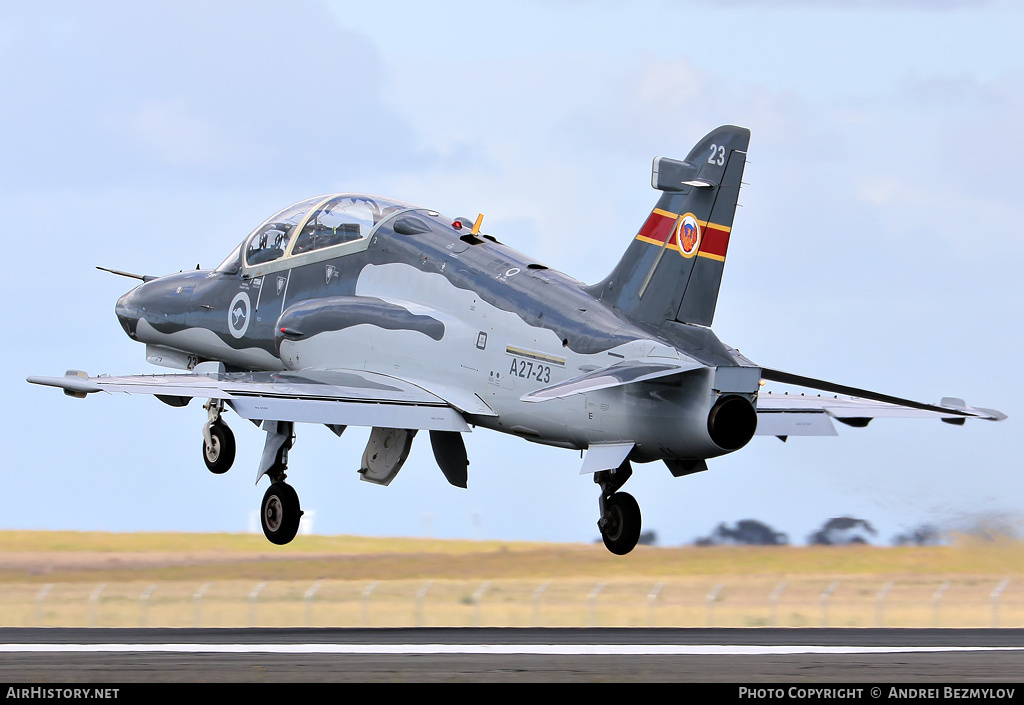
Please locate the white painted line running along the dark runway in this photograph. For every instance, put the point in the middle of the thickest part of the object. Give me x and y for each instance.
(484, 649)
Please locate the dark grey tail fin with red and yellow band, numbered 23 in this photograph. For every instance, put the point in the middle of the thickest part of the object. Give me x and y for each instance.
(673, 269)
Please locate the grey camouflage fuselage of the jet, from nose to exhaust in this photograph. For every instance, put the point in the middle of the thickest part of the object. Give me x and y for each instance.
(390, 288)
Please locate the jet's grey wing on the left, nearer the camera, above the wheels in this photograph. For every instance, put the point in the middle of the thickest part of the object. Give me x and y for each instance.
(333, 397)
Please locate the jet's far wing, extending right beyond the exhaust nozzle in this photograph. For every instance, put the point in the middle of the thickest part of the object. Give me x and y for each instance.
(786, 414)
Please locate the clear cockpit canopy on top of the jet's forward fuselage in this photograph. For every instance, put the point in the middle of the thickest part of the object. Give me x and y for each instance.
(314, 225)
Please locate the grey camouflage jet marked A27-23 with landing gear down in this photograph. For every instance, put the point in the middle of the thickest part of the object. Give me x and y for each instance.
(353, 310)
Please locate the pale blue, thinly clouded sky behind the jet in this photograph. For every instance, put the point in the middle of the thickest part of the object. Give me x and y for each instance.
(878, 244)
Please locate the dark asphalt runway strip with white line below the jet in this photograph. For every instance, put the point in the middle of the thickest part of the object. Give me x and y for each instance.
(485, 655)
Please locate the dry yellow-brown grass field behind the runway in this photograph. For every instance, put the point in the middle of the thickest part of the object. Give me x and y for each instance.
(68, 579)
